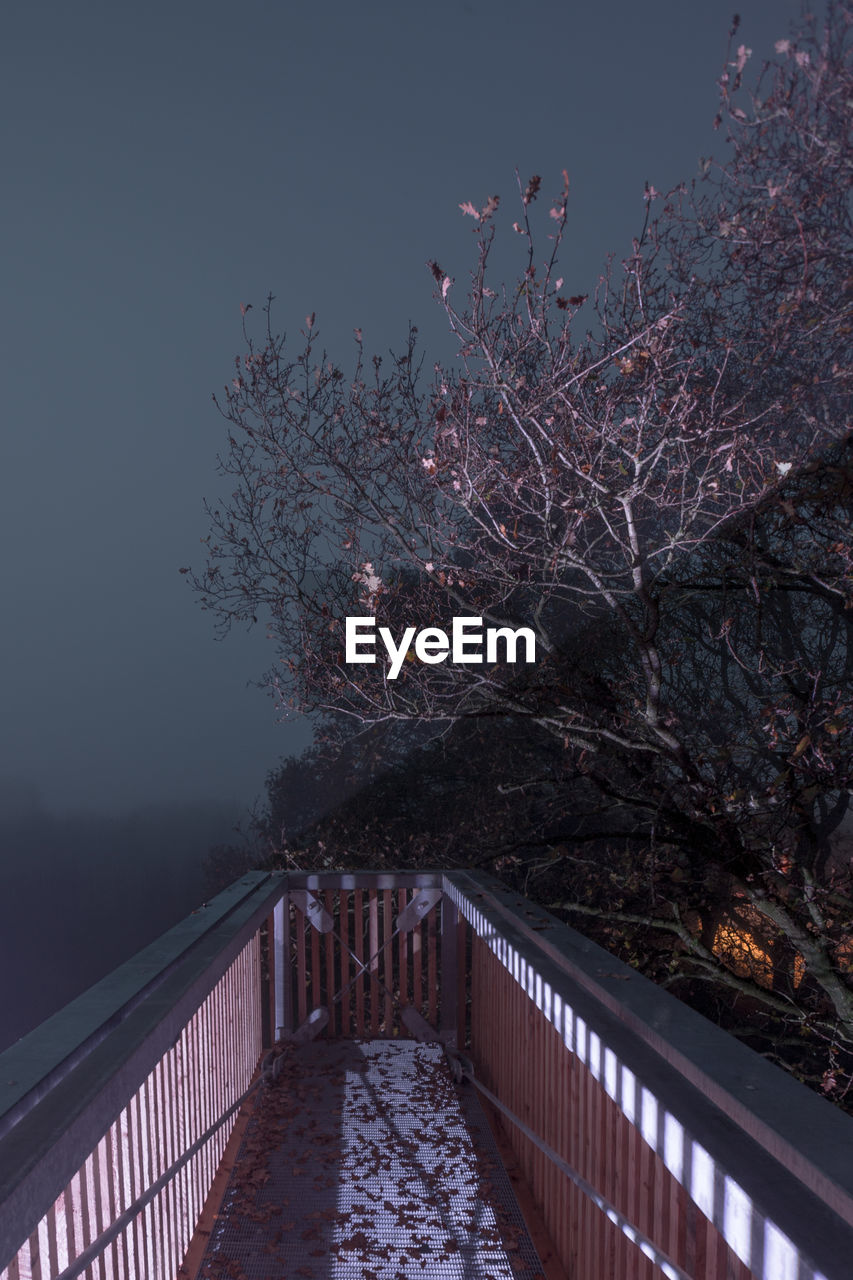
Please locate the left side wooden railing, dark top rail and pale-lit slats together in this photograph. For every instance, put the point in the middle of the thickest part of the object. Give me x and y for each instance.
(113, 1091)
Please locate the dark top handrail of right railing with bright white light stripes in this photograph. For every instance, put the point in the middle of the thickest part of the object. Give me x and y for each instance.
(760, 1174)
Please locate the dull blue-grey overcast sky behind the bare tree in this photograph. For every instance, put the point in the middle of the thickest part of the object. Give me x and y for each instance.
(166, 163)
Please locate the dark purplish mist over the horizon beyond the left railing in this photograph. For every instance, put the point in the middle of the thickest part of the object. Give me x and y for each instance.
(84, 893)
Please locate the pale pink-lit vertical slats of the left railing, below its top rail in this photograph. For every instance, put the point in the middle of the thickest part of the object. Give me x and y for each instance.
(143, 1222)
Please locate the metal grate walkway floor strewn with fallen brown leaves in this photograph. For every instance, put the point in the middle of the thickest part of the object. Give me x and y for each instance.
(366, 1162)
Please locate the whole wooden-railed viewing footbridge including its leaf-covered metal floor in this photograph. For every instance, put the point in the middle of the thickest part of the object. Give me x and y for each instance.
(405, 1075)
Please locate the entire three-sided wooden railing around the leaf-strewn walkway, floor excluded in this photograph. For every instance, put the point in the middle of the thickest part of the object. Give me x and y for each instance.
(653, 1142)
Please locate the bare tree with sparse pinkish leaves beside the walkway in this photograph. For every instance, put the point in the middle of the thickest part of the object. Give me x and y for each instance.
(610, 491)
